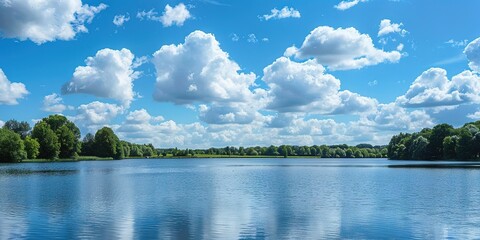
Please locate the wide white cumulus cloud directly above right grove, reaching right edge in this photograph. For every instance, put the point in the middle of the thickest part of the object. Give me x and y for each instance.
(433, 88)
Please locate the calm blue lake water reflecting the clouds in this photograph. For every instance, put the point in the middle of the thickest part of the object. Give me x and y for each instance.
(239, 199)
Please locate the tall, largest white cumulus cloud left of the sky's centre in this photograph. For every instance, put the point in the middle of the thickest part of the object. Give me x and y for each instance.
(199, 71)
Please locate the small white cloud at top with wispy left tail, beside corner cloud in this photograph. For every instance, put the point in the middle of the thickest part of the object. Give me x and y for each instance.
(171, 16)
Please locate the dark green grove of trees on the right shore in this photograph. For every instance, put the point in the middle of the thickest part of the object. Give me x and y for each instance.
(441, 142)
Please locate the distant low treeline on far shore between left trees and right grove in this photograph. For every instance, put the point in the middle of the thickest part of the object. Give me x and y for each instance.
(323, 151)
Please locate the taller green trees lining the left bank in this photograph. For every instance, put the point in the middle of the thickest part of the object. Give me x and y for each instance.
(56, 137)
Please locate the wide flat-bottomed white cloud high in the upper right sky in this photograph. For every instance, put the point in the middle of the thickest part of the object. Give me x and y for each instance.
(342, 49)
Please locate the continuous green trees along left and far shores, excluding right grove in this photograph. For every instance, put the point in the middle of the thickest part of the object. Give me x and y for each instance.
(56, 138)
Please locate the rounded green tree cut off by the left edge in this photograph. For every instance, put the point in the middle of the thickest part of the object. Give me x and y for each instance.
(11, 146)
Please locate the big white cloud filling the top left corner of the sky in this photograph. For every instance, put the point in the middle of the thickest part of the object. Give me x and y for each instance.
(47, 20)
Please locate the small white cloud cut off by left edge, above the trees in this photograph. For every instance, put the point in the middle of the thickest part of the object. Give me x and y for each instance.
(10, 92)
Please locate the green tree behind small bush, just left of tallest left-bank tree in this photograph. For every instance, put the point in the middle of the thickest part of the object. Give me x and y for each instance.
(48, 140)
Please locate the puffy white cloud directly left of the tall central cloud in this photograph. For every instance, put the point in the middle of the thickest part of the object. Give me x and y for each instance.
(109, 74)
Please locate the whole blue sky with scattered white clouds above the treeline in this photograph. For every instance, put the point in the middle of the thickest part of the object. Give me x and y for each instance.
(216, 72)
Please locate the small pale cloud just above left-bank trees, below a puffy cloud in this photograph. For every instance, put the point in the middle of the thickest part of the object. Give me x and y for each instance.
(95, 115)
